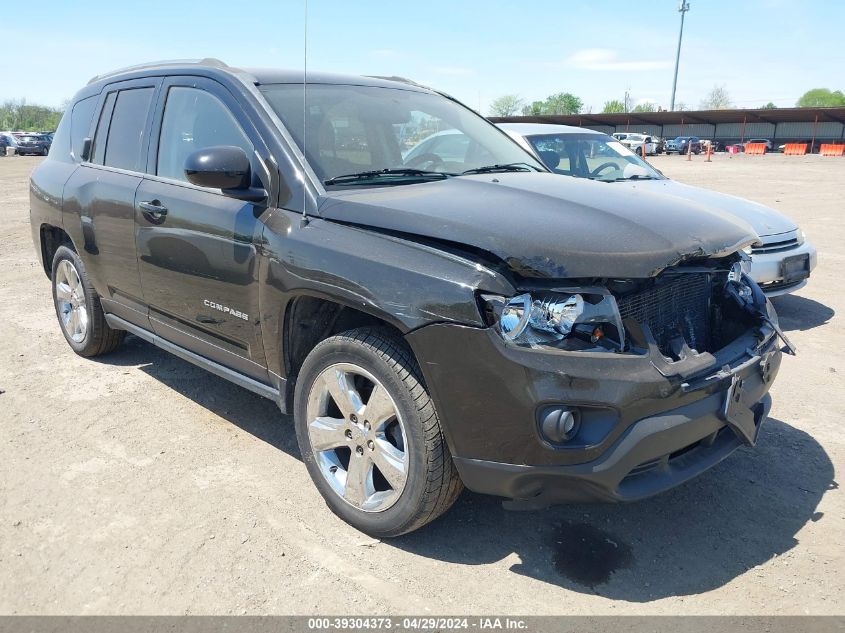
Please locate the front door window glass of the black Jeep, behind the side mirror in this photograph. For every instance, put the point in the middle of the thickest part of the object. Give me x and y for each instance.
(194, 119)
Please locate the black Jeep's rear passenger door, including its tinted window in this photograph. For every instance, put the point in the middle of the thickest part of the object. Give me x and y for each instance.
(102, 192)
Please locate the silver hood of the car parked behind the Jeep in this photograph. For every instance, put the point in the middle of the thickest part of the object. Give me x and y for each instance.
(764, 220)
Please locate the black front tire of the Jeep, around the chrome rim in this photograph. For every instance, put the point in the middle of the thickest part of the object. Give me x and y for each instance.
(432, 483)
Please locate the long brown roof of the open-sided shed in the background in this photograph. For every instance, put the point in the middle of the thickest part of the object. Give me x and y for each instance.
(712, 117)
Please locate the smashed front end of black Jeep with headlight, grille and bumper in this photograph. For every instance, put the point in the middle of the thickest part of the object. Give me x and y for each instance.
(611, 389)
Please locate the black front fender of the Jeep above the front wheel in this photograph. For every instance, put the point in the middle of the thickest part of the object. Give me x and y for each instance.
(403, 283)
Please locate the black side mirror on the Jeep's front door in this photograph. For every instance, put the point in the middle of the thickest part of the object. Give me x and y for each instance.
(224, 167)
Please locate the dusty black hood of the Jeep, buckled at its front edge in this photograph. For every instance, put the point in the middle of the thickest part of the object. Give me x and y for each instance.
(545, 225)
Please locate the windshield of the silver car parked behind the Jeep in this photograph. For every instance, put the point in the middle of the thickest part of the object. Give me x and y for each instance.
(593, 156)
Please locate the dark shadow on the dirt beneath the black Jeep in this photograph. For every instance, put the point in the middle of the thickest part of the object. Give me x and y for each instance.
(698, 537)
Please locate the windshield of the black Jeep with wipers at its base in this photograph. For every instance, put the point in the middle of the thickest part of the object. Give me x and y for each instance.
(357, 129)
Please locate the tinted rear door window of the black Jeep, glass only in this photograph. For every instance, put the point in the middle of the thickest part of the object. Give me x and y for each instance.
(126, 131)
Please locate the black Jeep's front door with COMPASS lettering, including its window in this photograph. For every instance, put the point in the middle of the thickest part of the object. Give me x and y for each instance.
(197, 248)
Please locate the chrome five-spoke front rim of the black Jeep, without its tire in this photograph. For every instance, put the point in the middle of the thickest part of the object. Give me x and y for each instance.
(357, 437)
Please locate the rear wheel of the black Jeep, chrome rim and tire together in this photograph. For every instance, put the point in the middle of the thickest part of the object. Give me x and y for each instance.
(78, 307)
